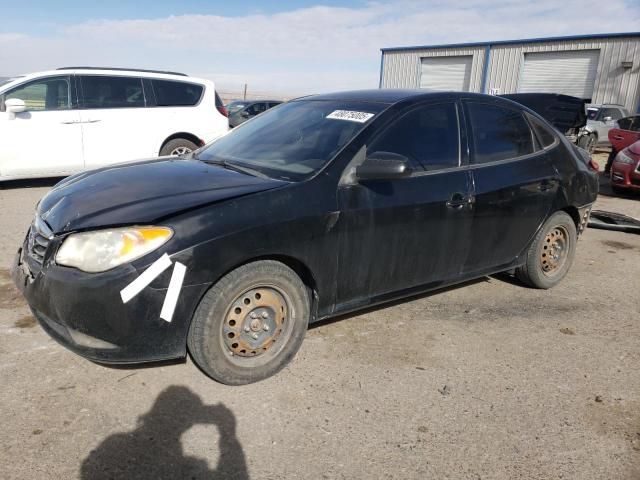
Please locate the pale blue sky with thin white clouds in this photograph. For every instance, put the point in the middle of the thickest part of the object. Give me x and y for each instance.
(277, 47)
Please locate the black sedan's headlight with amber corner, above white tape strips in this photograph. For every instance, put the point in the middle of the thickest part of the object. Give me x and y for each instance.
(103, 250)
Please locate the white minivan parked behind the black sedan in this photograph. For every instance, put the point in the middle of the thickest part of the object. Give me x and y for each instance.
(63, 121)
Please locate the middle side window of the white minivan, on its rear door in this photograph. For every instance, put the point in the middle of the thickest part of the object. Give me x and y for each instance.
(112, 92)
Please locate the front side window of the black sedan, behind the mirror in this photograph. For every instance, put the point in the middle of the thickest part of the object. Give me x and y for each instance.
(427, 136)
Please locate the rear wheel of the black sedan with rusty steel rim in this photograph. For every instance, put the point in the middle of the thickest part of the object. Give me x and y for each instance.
(542, 269)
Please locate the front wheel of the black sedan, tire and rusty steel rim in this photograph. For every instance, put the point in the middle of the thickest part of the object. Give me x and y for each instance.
(221, 338)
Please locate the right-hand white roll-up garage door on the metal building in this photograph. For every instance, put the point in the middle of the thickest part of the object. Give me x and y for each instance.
(569, 72)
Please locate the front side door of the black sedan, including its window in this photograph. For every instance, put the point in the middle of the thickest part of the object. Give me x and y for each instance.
(408, 232)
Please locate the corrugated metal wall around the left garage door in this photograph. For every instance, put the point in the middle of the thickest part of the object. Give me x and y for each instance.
(402, 69)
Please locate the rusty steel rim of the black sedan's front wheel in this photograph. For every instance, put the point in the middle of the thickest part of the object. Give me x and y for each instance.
(254, 322)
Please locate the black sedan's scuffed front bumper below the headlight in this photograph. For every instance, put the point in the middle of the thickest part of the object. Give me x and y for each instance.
(84, 311)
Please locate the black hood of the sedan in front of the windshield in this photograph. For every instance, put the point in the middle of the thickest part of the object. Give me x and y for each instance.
(142, 192)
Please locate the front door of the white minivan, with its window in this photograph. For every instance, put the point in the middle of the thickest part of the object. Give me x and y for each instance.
(46, 139)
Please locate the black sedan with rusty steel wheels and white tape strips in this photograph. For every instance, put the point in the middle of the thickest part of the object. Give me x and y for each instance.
(318, 207)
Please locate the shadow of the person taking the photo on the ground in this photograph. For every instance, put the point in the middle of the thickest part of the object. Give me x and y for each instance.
(154, 449)
